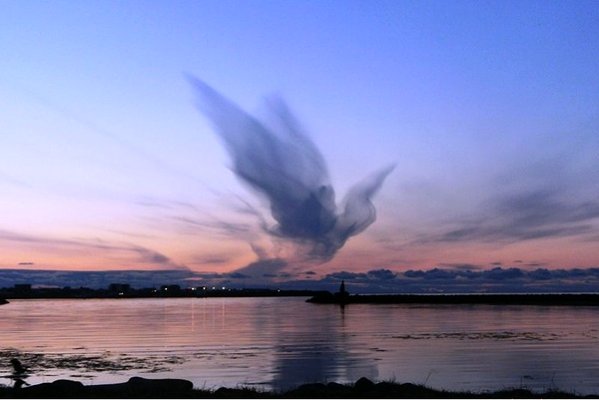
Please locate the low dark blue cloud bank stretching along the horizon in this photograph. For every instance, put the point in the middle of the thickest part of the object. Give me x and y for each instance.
(447, 279)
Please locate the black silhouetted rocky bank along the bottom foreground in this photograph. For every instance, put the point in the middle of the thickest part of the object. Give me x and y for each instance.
(179, 388)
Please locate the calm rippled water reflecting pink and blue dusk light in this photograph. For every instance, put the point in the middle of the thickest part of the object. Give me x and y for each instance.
(283, 342)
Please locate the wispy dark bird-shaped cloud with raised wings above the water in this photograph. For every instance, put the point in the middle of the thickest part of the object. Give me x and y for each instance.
(281, 163)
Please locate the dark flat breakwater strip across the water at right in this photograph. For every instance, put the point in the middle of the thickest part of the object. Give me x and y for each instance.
(540, 299)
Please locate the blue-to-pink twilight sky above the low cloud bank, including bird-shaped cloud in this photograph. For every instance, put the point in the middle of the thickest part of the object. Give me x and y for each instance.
(141, 135)
